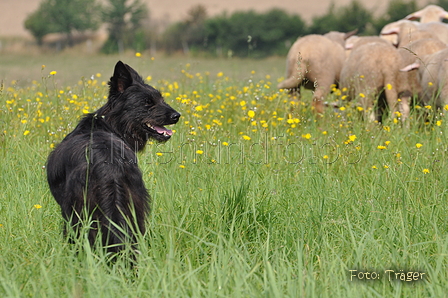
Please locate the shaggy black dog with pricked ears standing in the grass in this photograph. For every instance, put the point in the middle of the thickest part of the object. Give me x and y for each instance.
(93, 172)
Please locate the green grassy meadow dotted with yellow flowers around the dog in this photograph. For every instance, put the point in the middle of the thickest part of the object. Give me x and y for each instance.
(253, 196)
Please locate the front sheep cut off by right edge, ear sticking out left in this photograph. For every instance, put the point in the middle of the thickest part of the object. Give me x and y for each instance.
(433, 76)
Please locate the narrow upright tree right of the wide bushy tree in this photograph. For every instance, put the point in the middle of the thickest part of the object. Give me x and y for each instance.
(124, 19)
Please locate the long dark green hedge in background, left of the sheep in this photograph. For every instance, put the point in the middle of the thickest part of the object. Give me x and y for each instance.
(244, 34)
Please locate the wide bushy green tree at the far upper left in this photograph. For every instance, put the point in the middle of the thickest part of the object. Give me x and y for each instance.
(63, 16)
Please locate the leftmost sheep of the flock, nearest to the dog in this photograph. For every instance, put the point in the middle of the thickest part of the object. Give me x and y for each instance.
(315, 62)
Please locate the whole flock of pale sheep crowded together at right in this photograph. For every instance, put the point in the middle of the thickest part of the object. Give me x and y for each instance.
(408, 60)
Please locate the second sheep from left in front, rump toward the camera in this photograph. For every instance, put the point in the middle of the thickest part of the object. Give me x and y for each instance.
(371, 69)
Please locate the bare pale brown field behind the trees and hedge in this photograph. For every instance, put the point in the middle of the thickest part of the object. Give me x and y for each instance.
(14, 12)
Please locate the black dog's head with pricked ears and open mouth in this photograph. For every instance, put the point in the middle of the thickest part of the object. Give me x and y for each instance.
(136, 109)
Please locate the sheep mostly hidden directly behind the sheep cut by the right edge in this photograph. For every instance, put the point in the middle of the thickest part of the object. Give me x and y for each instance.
(416, 51)
